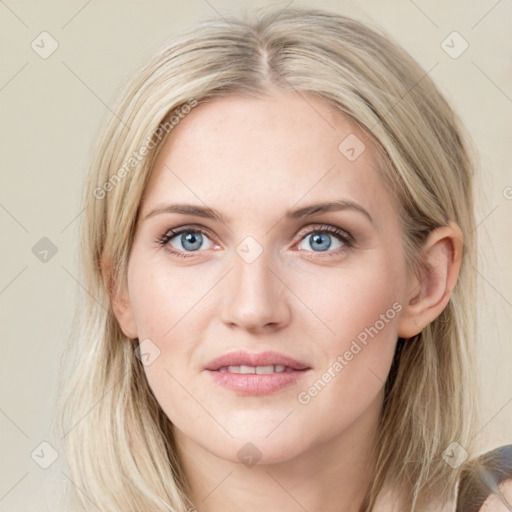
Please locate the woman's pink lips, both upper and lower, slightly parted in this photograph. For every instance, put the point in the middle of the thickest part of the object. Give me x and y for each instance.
(255, 384)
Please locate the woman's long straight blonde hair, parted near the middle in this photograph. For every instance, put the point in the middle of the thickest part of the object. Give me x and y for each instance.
(117, 439)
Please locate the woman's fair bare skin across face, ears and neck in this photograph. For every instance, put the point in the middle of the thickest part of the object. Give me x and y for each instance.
(252, 160)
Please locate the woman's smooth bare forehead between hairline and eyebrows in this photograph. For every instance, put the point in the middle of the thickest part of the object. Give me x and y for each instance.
(257, 154)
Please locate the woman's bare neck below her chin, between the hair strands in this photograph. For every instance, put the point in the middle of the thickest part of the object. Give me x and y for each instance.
(331, 475)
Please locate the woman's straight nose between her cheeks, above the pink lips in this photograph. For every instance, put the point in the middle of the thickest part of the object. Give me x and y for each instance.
(255, 297)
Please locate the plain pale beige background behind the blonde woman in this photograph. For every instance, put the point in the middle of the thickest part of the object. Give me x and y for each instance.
(51, 110)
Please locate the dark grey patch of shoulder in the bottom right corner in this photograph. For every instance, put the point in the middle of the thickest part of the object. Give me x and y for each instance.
(486, 482)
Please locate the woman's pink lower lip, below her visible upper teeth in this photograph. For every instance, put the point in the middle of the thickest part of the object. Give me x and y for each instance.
(256, 384)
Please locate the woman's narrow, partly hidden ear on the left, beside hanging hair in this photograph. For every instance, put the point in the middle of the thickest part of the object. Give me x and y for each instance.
(119, 298)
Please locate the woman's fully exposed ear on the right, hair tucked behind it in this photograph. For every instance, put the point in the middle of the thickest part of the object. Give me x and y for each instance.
(430, 292)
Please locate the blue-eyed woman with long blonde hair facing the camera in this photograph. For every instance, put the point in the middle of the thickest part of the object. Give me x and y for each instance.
(278, 247)
